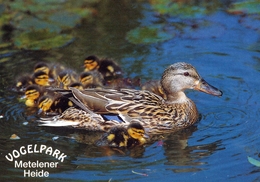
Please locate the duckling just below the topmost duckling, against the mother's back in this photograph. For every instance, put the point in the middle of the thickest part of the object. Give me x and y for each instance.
(91, 79)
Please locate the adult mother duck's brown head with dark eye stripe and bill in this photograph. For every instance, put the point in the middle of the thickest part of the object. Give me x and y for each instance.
(181, 76)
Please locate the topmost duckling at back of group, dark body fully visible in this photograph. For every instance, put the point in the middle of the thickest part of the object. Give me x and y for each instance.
(107, 67)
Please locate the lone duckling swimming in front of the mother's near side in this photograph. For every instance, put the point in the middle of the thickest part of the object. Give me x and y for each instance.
(120, 136)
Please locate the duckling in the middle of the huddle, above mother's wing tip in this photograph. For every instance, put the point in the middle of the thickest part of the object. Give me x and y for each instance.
(66, 77)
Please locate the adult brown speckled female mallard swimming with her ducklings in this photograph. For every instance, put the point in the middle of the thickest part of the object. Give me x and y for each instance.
(157, 115)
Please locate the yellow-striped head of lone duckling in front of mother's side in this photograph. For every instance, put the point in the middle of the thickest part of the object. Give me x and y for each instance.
(136, 131)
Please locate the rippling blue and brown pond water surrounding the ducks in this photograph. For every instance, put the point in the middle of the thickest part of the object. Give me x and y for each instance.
(226, 54)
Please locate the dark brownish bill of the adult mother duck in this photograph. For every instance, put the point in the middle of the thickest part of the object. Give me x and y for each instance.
(203, 86)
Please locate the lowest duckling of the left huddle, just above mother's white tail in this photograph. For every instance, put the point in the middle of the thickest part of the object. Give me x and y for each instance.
(54, 104)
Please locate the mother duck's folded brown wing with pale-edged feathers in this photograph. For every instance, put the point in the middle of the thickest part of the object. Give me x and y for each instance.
(124, 102)
